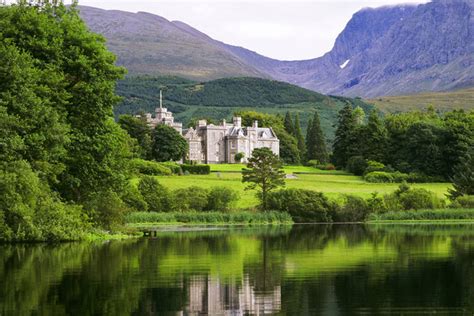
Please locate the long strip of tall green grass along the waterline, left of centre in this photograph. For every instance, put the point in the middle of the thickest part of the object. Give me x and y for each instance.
(141, 219)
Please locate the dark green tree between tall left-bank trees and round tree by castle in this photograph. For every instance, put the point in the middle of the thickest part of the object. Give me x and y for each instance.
(138, 129)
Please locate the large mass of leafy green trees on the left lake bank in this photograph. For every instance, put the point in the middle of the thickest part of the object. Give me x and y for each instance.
(64, 162)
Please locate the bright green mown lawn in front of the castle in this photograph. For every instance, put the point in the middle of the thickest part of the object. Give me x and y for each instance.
(333, 183)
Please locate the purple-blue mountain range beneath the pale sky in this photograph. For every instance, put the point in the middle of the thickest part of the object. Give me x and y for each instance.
(392, 50)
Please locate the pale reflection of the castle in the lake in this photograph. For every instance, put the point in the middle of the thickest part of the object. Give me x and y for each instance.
(207, 295)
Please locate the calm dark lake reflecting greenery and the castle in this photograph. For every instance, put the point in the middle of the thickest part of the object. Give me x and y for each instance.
(304, 270)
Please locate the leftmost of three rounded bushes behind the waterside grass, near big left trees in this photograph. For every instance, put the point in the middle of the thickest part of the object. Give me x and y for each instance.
(155, 195)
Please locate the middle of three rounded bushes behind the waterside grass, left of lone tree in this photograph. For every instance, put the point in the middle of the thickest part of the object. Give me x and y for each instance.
(190, 199)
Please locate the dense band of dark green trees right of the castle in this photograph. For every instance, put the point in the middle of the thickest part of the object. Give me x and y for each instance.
(424, 143)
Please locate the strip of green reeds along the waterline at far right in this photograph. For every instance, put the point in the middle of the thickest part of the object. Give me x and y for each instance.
(448, 215)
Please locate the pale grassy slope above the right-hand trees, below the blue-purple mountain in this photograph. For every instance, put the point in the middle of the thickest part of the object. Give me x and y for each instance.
(443, 101)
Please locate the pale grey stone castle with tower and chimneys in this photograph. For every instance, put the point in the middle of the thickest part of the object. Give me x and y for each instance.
(209, 143)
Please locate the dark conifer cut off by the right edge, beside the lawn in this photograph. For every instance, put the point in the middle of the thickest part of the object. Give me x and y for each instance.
(463, 179)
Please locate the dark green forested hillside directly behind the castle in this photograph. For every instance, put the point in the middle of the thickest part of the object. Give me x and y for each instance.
(219, 99)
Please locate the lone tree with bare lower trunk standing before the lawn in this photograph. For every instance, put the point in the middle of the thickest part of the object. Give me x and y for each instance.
(264, 170)
